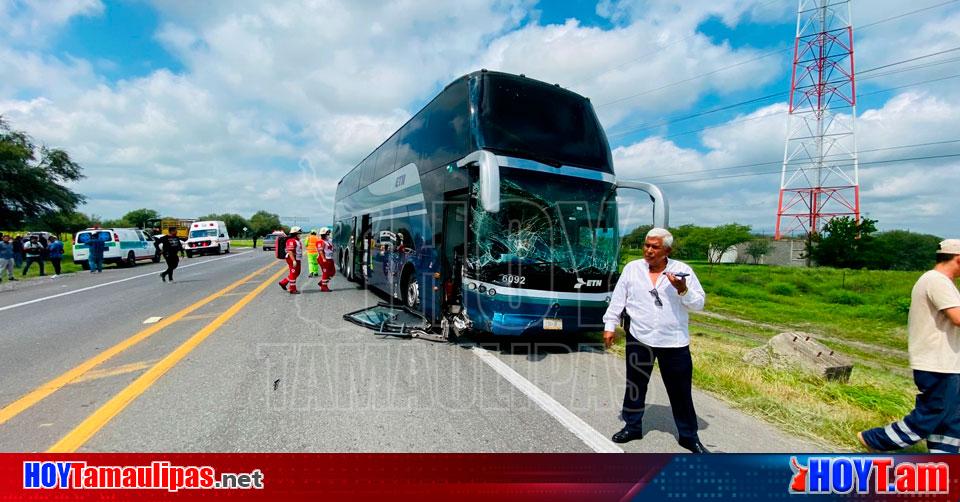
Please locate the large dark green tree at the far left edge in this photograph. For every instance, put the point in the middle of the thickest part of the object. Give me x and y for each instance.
(32, 186)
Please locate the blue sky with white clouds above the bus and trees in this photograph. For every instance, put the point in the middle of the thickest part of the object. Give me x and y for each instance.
(192, 108)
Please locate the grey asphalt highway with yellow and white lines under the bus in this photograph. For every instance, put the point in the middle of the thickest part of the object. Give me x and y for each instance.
(222, 360)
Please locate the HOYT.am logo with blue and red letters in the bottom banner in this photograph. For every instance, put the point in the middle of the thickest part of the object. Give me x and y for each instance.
(876, 475)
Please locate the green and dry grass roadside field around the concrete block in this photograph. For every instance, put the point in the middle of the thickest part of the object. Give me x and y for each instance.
(860, 313)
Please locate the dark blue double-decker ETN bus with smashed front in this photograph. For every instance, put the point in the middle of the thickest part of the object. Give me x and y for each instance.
(493, 209)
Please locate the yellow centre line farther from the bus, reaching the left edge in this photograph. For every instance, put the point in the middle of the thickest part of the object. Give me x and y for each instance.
(35, 396)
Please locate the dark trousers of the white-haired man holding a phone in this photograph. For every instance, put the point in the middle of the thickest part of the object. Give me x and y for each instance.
(676, 368)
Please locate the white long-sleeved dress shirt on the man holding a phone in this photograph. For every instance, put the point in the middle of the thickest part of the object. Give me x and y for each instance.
(655, 326)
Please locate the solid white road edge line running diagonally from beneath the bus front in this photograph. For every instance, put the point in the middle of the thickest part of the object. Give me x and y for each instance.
(598, 442)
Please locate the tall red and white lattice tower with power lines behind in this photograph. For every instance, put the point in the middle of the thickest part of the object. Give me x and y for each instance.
(820, 178)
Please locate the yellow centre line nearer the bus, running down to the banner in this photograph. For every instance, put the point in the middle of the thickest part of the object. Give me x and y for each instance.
(92, 424)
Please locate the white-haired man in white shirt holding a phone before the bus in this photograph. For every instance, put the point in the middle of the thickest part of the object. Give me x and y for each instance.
(657, 294)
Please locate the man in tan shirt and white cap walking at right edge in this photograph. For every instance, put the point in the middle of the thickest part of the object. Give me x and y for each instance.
(934, 344)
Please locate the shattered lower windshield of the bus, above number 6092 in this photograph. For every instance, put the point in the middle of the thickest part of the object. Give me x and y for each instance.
(546, 223)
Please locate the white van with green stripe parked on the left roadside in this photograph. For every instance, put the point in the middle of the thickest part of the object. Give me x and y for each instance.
(123, 246)
